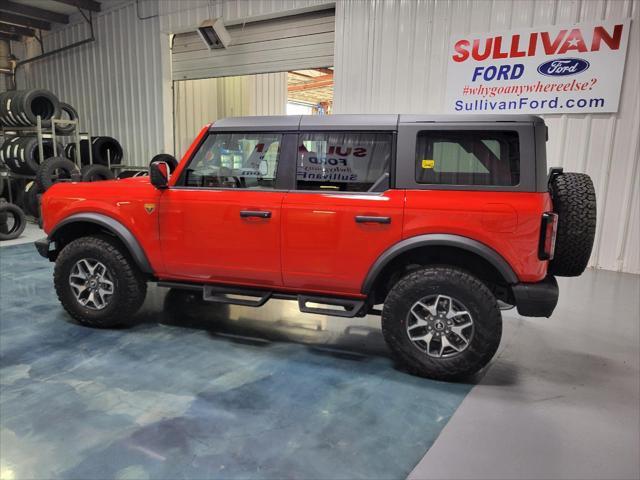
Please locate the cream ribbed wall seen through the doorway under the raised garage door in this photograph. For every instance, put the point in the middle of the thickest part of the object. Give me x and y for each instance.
(199, 102)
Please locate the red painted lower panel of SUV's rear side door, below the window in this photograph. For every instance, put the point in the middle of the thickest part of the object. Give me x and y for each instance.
(323, 248)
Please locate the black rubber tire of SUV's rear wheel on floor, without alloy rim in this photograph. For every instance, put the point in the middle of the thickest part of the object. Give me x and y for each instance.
(477, 298)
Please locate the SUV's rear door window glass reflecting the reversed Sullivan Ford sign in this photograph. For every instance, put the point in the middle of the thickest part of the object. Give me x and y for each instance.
(344, 161)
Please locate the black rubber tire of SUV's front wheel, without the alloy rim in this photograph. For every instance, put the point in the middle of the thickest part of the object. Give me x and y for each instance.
(130, 286)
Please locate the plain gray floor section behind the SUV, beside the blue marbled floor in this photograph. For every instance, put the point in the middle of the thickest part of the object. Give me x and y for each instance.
(561, 400)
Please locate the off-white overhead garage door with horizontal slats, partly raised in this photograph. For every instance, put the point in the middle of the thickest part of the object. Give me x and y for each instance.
(287, 43)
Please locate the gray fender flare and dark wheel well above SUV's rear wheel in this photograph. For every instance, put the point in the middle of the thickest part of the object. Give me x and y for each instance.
(432, 249)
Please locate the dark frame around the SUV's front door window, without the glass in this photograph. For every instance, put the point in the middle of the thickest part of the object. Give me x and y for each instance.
(281, 179)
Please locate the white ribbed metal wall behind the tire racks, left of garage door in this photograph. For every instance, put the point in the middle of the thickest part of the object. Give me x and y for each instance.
(114, 83)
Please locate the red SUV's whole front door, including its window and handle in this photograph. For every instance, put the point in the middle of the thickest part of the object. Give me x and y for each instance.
(221, 221)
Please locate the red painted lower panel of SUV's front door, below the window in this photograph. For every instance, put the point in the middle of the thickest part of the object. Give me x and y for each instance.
(205, 239)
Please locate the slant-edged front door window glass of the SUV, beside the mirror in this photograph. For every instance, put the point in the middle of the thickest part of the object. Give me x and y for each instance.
(235, 160)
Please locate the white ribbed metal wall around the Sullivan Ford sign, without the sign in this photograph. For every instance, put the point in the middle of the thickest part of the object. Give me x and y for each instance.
(391, 57)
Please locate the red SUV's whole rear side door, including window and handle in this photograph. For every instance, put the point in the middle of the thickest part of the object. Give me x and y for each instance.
(342, 213)
